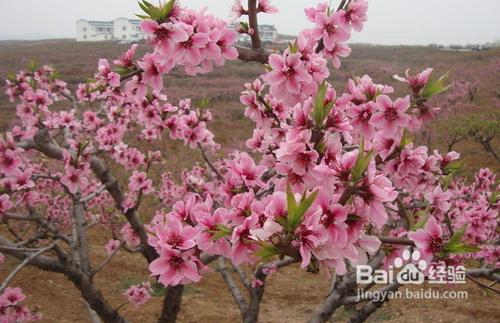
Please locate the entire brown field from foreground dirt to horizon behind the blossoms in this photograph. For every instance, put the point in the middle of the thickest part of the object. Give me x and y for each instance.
(292, 295)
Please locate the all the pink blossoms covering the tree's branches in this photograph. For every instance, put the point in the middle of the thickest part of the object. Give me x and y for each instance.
(324, 175)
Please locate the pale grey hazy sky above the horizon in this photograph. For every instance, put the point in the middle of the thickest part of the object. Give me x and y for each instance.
(389, 21)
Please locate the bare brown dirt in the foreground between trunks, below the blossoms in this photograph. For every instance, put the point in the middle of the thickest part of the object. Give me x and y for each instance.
(291, 296)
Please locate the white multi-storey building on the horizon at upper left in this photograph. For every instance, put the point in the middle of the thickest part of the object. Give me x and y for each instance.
(121, 29)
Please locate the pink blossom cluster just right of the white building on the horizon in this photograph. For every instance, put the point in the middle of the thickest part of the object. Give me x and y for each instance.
(191, 39)
